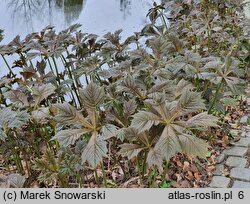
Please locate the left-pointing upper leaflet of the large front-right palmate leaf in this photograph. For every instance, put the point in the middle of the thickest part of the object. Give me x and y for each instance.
(144, 120)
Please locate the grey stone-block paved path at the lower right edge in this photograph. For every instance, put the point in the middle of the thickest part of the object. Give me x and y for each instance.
(236, 159)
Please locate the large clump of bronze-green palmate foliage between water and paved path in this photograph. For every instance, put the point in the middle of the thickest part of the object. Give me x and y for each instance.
(73, 103)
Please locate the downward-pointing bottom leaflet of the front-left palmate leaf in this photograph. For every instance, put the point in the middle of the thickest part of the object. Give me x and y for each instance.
(95, 150)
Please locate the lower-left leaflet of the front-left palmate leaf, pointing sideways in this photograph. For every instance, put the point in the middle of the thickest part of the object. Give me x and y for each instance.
(70, 136)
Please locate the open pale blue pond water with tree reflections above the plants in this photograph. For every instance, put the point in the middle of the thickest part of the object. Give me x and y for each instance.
(20, 17)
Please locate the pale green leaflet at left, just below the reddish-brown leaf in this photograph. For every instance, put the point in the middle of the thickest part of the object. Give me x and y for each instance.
(41, 92)
